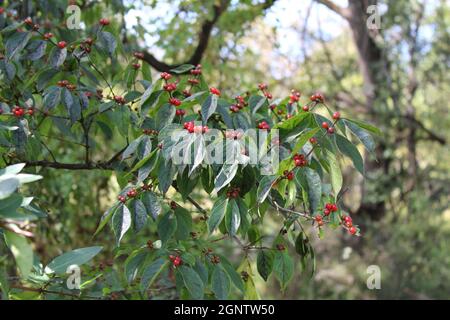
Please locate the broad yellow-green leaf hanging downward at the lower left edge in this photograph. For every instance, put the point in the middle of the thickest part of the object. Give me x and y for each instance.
(21, 250)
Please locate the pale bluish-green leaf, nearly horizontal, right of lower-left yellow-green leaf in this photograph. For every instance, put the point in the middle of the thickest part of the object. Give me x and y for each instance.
(77, 257)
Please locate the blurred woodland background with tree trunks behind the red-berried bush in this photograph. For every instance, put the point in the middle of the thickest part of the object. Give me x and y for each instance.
(386, 64)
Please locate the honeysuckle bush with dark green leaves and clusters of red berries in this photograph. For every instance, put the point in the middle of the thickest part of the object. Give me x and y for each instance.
(85, 88)
